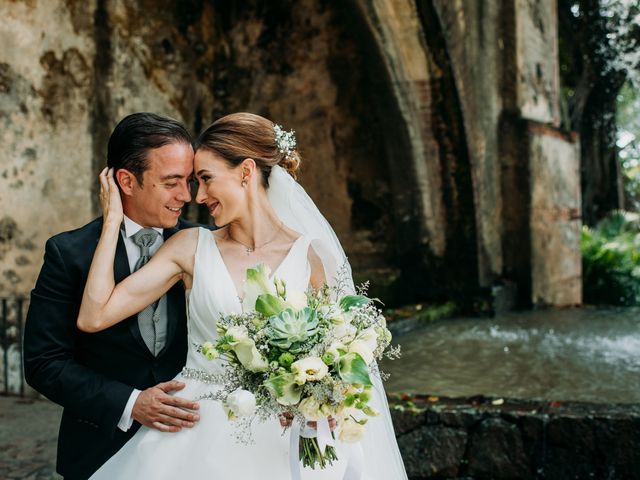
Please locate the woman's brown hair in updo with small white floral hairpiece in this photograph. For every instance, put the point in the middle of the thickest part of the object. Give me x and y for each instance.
(238, 136)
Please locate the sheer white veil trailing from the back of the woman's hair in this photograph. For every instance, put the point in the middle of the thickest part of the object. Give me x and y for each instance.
(297, 211)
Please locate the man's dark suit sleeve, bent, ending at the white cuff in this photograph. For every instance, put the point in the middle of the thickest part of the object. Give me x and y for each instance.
(49, 341)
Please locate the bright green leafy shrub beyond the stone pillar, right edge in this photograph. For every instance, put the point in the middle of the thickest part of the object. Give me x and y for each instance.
(611, 260)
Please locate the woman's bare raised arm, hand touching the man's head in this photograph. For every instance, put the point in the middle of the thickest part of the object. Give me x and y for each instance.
(104, 303)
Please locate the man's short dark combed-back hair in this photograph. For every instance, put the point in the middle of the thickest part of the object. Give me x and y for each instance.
(138, 133)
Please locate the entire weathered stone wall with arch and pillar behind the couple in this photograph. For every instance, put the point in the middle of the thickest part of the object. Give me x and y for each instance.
(409, 116)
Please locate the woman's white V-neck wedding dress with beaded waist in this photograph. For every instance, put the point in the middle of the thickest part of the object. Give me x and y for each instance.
(210, 450)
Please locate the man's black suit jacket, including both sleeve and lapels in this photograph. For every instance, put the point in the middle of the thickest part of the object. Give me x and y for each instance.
(92, 375)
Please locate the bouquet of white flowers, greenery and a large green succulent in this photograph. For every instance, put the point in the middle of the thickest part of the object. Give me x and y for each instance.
(302, 353)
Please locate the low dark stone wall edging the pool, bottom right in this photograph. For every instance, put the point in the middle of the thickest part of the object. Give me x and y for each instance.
(496, 439)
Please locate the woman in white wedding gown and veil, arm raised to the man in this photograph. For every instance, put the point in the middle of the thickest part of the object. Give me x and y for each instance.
(245, 168)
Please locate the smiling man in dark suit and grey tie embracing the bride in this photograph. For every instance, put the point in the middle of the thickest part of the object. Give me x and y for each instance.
(112, 381)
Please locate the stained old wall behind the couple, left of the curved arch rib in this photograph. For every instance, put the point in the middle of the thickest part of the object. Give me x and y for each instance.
(64, 88)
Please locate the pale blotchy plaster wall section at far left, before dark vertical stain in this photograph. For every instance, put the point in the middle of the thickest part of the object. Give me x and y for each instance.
(45, 164)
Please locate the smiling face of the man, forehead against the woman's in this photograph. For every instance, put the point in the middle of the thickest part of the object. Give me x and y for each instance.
(158, 201)
